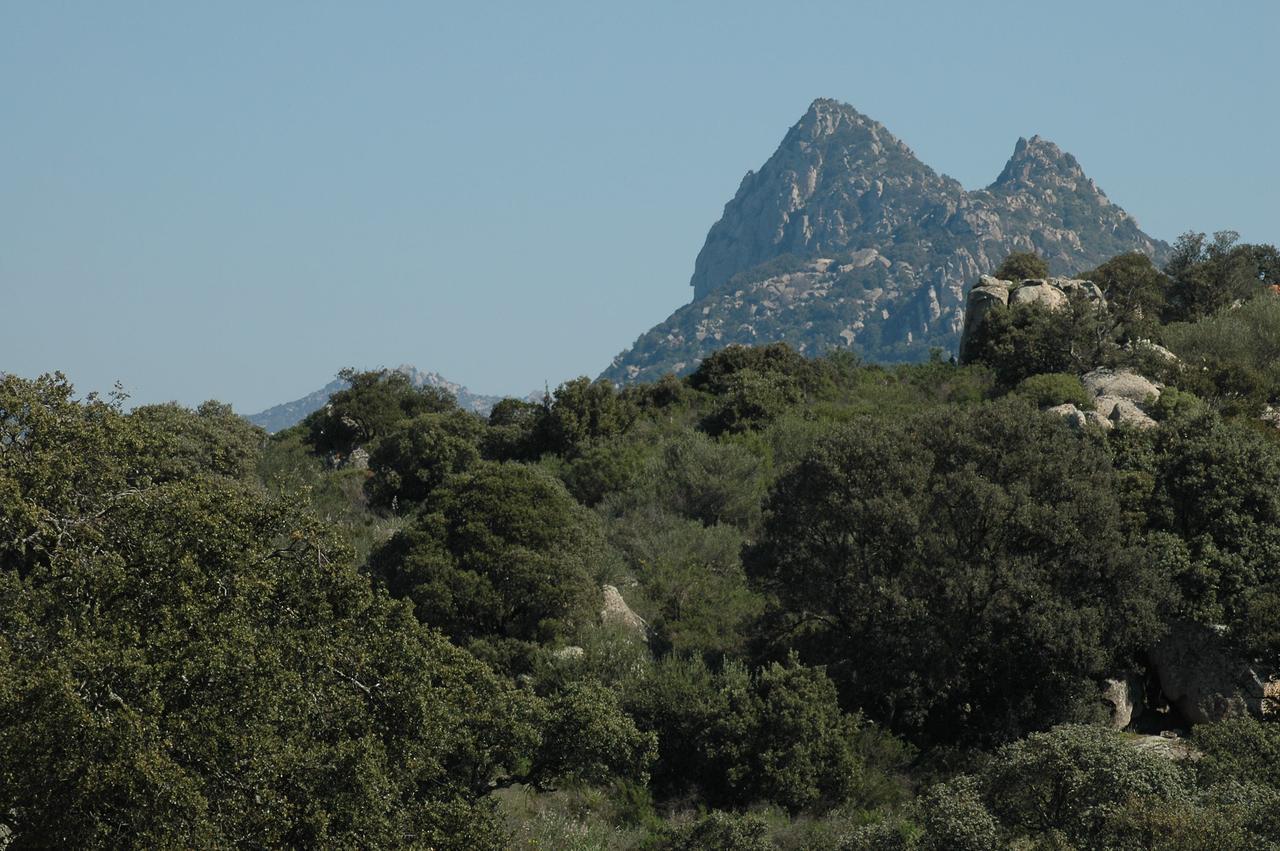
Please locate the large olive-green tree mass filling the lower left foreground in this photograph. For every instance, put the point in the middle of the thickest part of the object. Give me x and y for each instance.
(193, 664)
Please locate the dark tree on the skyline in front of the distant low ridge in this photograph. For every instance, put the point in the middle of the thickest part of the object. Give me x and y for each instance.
(371, 408)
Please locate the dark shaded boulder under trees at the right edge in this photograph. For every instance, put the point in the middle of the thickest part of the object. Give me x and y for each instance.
(1206, 683)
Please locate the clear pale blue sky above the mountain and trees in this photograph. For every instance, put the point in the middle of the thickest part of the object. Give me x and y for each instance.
(237, 200)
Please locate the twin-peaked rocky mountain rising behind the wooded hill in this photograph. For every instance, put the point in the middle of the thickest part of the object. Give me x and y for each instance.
(847, 240)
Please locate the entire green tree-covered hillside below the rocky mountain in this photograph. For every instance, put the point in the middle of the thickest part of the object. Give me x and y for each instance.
(780, 603)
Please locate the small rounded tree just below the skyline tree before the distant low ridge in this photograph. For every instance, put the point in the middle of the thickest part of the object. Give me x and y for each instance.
(419, 455)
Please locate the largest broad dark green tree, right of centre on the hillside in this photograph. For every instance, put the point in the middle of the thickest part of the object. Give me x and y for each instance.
(991, 532)
